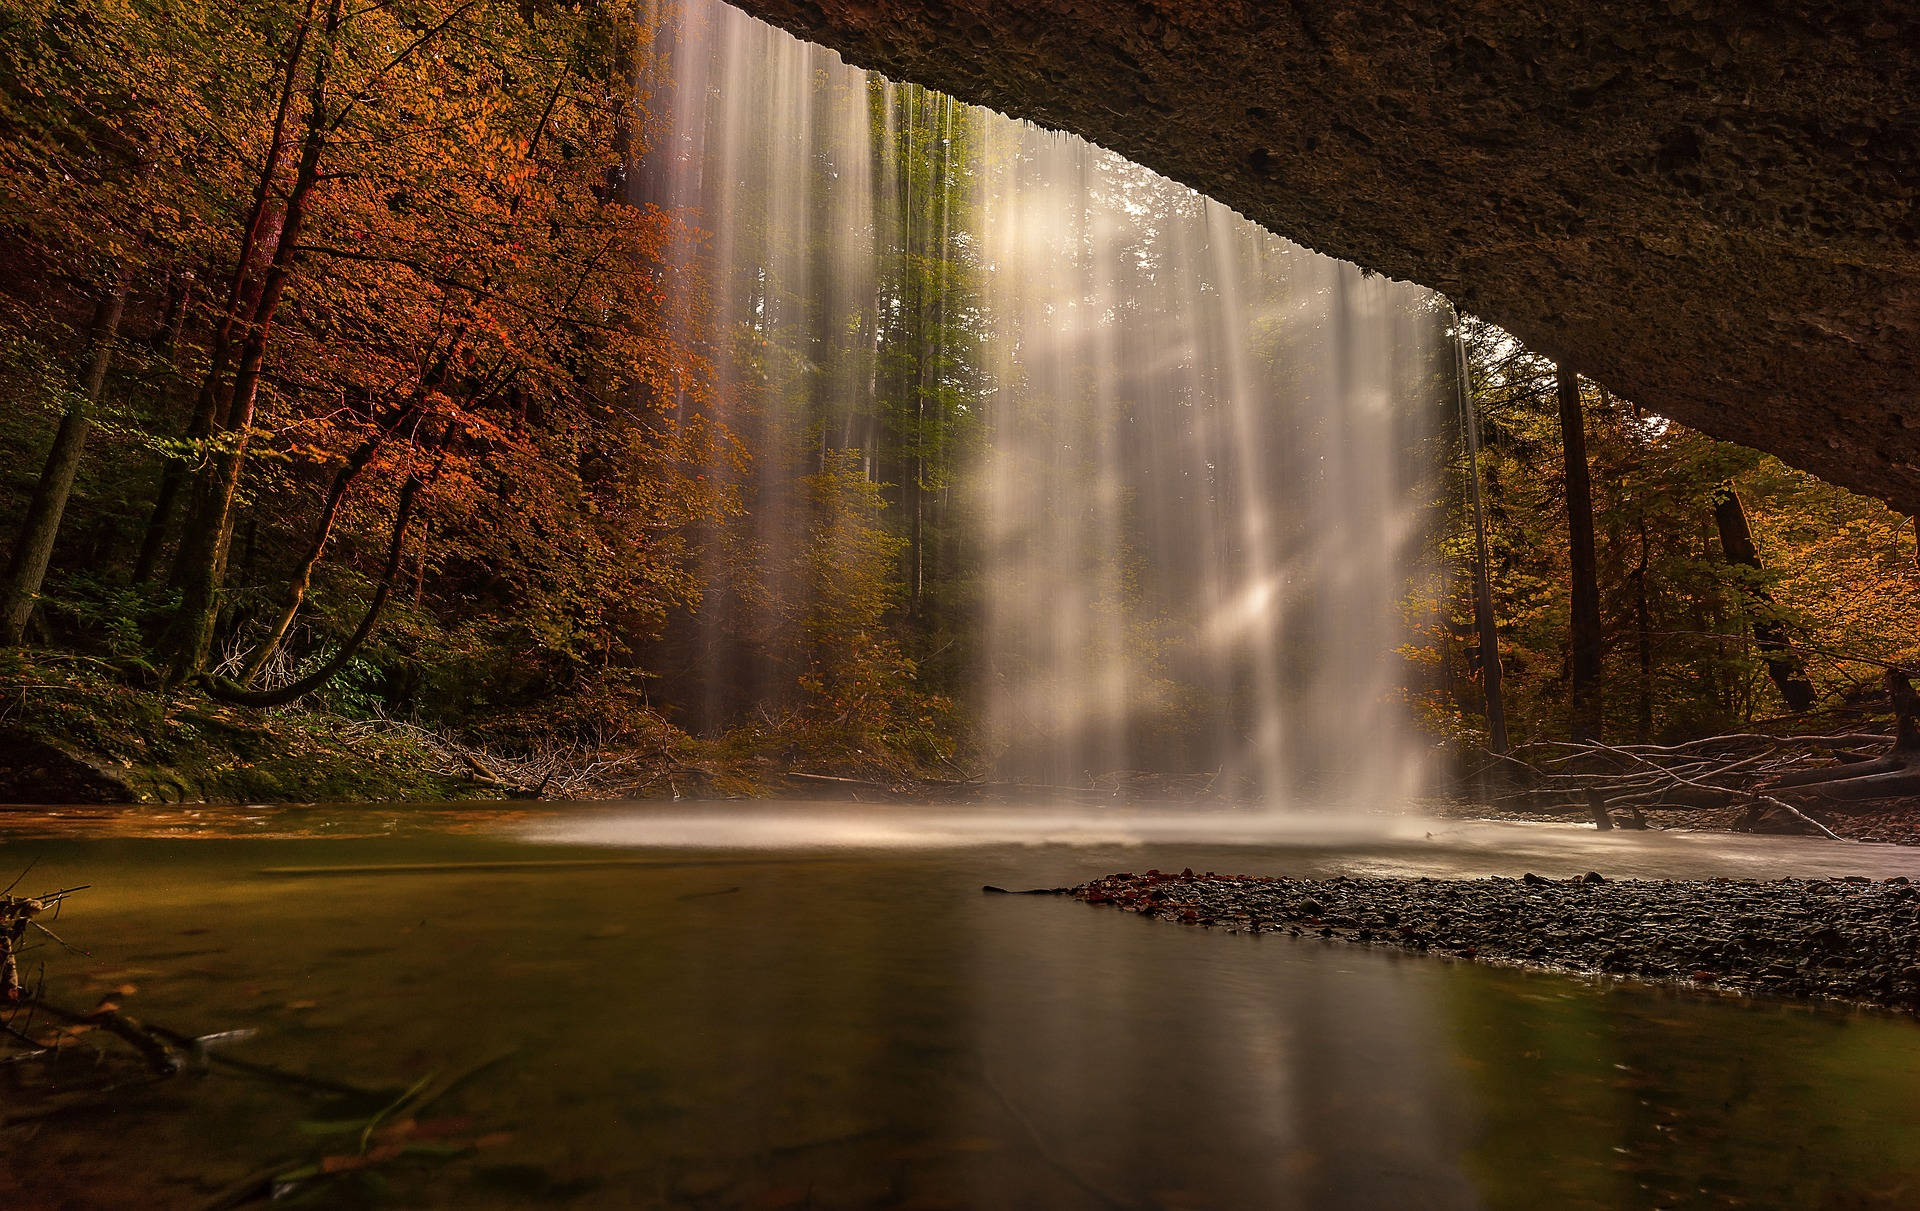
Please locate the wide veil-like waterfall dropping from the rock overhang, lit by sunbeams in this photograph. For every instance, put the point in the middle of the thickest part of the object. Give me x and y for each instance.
(1182, 454)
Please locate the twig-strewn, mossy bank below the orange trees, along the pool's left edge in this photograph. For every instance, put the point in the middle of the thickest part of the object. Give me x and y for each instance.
(76, 732)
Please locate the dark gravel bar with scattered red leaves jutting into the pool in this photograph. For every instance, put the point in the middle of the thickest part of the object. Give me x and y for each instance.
(1848, 939)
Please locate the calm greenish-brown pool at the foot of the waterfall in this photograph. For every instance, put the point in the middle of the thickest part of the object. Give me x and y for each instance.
(813, 1007)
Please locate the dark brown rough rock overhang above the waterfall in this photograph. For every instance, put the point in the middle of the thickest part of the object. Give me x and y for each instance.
(1710, 206)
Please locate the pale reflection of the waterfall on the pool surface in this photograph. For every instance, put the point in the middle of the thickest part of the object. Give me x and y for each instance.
(1245, 1076)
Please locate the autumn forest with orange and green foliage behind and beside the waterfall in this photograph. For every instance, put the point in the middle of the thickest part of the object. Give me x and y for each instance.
(383, 423)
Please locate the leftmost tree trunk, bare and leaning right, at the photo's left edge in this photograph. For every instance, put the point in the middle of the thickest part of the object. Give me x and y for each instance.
(34, 550)
